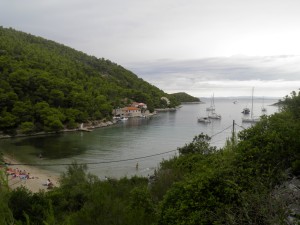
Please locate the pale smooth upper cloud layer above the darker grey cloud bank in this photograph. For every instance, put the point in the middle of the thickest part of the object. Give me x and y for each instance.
(130, 30)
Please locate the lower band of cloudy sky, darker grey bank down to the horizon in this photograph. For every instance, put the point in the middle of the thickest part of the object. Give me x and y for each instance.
(232, 76)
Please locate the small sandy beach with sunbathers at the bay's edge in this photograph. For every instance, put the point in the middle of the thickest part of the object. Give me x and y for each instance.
(37, 177)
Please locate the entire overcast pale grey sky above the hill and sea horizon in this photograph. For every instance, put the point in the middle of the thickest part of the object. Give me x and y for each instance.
(197, 46)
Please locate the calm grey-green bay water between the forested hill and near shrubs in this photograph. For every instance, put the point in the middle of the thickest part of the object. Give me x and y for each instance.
(113, 149)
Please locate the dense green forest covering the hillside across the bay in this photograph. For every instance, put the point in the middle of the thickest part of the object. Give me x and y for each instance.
(46, 86)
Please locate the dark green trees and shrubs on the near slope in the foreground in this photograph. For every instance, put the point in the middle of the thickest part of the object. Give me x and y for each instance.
(238, 184)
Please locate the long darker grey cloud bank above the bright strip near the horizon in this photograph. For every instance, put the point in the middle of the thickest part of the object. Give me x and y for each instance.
(231, 68)
